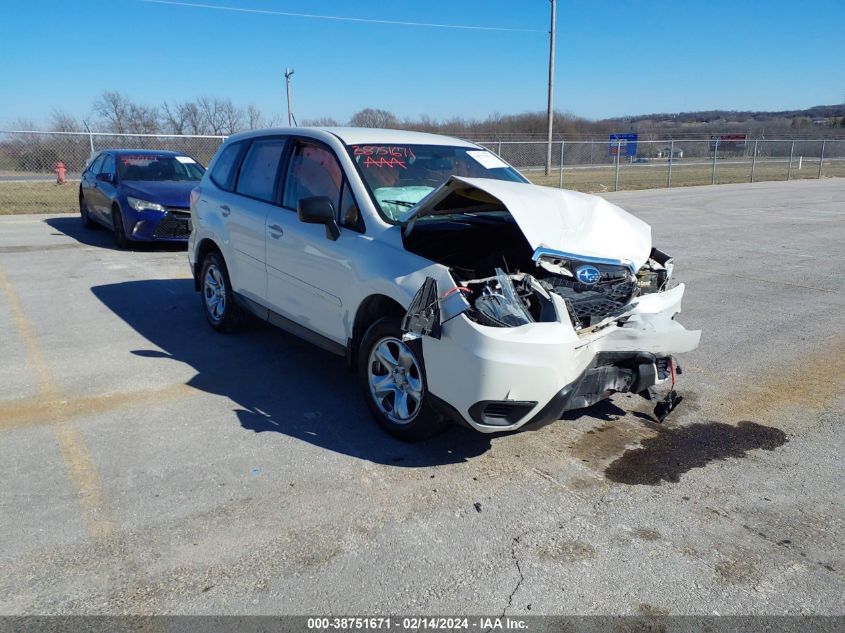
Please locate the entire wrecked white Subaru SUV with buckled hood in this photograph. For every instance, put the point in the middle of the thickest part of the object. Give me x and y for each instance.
(455, 288)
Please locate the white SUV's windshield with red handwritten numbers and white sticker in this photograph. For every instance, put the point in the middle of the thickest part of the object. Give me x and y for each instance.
(399, 176)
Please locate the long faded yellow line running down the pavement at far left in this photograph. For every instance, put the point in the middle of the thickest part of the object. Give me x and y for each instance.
(81, 470)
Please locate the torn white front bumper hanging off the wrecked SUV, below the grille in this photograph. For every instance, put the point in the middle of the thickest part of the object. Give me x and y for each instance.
(500, 379)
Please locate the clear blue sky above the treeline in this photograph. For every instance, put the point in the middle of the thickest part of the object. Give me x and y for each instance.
(614, 57)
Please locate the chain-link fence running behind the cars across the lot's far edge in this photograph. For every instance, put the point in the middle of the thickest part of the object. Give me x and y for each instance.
(28, 161)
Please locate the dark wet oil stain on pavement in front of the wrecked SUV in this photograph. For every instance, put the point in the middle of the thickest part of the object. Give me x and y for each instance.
(674, 451)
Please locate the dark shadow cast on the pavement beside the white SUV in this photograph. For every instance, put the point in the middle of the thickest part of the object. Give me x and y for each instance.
(278, 383)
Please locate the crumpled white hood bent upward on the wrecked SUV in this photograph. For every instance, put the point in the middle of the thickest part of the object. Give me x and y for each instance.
(554, 221)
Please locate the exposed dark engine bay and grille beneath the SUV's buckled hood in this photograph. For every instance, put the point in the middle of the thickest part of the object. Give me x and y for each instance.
(505, 284)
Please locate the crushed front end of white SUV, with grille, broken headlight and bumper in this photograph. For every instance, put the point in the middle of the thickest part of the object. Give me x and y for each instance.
(515, 349)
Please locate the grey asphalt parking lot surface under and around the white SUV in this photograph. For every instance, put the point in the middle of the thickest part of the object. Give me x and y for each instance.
(150, 465)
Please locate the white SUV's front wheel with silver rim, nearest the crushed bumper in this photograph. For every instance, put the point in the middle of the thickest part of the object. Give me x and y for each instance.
(392, 378)
